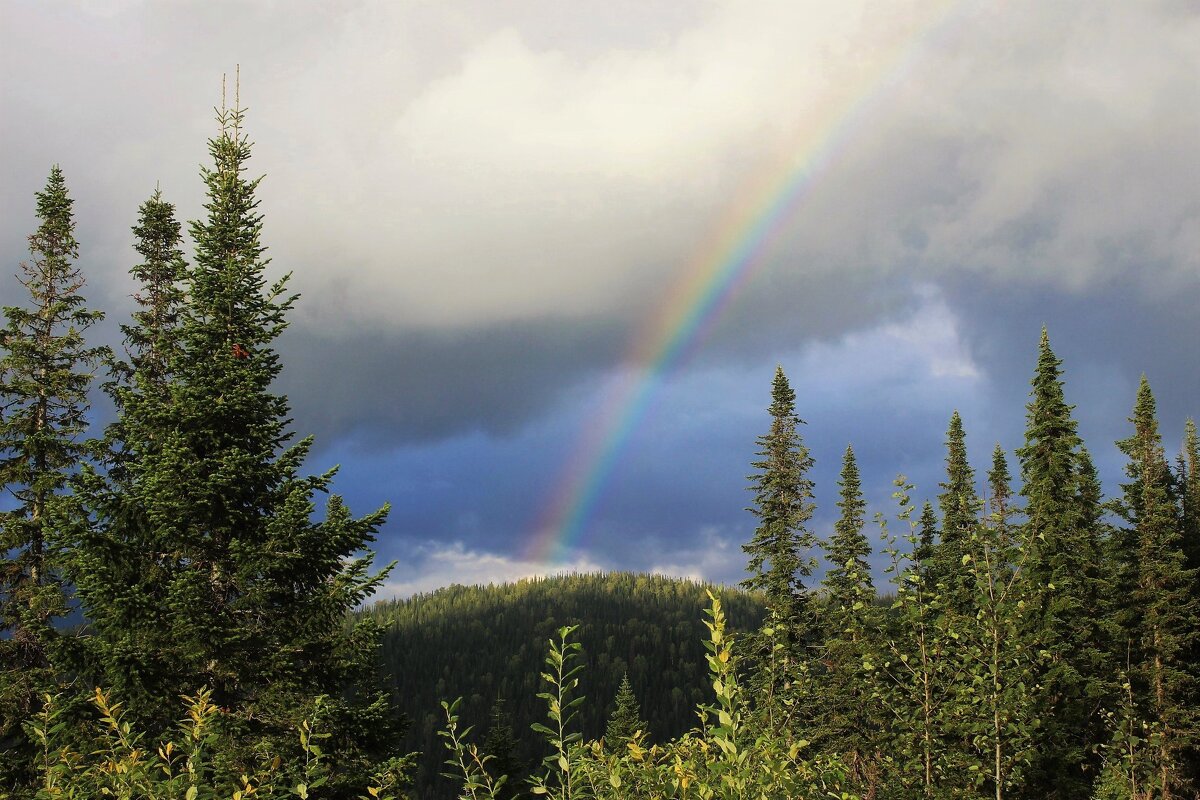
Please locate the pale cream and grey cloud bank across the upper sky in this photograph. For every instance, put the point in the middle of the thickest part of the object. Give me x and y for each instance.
(439, 169)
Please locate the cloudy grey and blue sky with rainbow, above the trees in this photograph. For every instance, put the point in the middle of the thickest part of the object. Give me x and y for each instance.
(551, 254)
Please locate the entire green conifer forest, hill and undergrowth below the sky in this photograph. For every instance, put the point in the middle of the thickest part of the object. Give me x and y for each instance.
(1031, 639)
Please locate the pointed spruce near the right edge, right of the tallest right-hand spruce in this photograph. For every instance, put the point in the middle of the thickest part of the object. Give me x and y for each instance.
(1166, 683)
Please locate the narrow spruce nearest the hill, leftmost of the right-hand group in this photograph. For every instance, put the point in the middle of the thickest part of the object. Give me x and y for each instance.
(779, 561)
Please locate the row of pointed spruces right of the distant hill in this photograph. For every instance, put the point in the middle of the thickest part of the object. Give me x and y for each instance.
(1041, 642)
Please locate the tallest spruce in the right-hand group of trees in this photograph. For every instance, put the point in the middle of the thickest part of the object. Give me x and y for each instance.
(1065, 551)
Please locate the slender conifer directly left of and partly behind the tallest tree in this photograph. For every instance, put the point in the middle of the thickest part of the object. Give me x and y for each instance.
(124, 566)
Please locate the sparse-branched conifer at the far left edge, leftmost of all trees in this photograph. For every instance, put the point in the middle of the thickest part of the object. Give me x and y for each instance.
(45, 376)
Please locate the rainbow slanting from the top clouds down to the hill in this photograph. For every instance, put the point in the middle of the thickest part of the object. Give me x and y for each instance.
(711, 281)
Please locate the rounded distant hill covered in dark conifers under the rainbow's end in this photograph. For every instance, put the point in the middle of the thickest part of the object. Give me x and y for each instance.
(488, 643)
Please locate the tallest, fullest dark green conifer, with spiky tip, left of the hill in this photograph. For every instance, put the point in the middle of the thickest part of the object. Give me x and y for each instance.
(255, 593)
